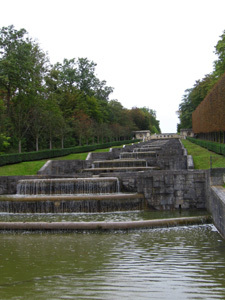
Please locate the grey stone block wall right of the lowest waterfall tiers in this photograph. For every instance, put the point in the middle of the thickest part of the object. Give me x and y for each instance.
(168, 189)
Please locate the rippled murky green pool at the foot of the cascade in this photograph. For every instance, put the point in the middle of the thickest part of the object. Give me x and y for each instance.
(174, 263)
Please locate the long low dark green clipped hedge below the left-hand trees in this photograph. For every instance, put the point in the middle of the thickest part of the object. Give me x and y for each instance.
(46, 154)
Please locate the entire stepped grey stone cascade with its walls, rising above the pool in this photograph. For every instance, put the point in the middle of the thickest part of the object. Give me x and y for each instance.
(85, 187)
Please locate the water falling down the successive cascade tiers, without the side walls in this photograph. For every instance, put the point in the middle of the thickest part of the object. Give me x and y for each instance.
(91, 194)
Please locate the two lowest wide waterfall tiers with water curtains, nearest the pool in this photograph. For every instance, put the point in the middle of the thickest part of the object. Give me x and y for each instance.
(70, 195)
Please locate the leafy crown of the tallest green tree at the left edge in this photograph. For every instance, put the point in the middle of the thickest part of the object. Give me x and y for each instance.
(22, 63)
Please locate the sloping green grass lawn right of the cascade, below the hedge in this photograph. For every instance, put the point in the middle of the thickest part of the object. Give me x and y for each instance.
(201, 156)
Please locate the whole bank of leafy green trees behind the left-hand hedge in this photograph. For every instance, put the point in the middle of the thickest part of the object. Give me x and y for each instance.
(62, 105)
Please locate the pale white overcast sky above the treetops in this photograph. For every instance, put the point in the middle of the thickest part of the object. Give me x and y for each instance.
(149, 51)
